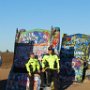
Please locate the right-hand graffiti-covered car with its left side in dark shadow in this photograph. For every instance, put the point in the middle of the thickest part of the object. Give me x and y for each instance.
(75, 57)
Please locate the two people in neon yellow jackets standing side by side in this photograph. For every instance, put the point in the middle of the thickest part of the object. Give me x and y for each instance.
(47, 69)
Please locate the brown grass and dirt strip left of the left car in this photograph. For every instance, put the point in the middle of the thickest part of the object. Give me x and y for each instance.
(7, 60)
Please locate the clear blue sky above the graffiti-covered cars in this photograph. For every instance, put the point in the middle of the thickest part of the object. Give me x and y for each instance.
(72, 16)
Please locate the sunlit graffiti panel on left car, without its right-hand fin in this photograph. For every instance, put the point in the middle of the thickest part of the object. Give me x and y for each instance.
(39, 38)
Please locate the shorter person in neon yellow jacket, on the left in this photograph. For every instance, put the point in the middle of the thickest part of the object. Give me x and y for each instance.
(33, 68)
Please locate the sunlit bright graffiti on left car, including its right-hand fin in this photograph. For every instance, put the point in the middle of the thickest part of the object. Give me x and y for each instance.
(40, 39)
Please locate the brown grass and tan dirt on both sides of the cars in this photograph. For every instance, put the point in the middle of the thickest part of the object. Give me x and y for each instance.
(6, 66)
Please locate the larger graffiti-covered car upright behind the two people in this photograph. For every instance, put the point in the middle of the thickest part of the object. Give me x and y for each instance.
(26, 42)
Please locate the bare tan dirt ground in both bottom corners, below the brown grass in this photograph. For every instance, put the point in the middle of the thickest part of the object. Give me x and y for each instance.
(80, 86)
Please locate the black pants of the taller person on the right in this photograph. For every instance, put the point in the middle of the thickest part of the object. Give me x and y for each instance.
(49, 76)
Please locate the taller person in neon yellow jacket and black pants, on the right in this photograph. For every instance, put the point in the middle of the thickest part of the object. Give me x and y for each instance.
(50, 64)
